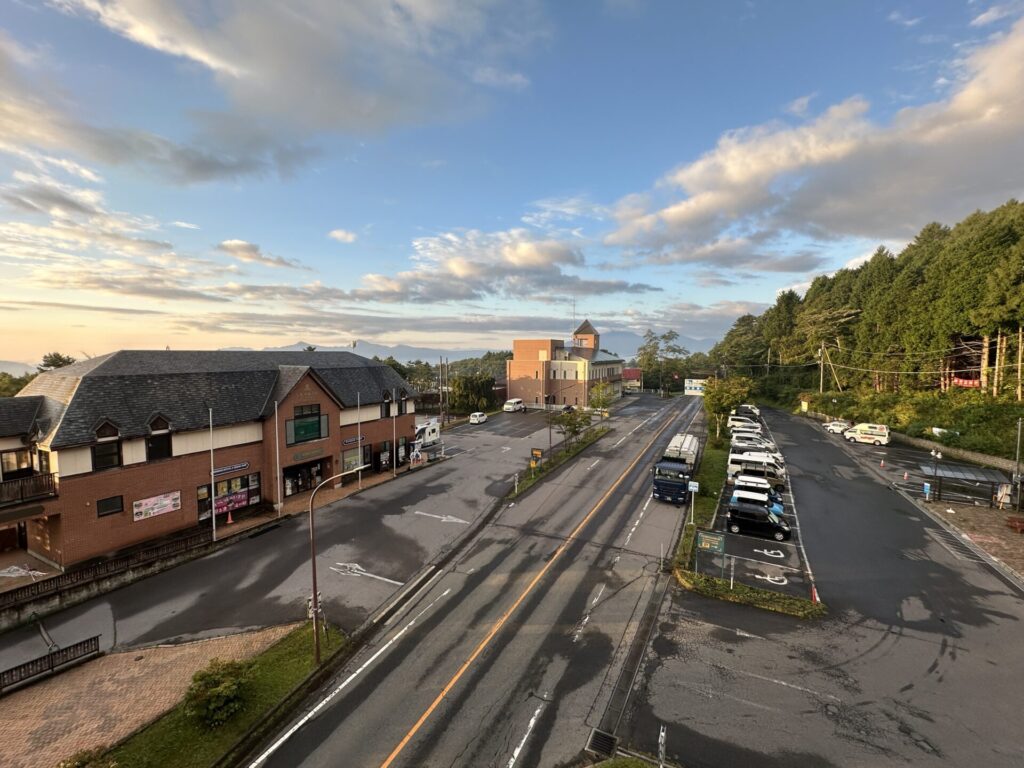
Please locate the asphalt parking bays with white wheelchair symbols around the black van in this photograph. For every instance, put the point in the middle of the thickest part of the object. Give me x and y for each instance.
(760, 562)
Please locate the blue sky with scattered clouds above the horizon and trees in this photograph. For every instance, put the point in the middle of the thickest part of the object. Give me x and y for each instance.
(198, 175)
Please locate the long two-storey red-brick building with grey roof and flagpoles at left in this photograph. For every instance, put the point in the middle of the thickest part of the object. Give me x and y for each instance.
(118, 450)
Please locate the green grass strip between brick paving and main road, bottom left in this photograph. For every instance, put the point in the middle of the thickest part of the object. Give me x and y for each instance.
(177, 741)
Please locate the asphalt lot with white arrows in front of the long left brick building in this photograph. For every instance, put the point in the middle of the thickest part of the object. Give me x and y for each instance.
(390, 531)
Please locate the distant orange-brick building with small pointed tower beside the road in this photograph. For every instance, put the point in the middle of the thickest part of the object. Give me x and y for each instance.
(546, 373)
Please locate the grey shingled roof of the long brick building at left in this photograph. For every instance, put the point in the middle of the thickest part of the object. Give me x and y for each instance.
(131, 388)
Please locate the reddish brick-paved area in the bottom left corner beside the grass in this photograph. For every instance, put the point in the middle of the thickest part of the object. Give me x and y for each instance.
(104, 701)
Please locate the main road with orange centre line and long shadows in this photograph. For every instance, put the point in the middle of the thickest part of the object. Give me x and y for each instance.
(511, 656)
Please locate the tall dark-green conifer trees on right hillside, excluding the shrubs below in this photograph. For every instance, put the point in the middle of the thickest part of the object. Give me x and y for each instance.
(914, 321)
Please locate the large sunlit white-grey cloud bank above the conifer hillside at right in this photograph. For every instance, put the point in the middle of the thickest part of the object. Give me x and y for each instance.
(842, 175)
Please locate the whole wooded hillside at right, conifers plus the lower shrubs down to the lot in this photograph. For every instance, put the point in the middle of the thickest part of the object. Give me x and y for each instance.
(931, 336)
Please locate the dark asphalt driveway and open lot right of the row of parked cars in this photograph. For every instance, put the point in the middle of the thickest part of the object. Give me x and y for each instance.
(919, 662)
